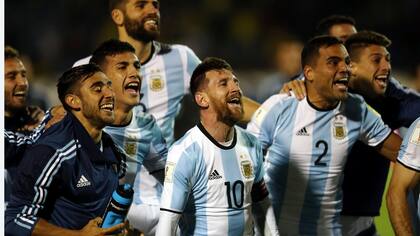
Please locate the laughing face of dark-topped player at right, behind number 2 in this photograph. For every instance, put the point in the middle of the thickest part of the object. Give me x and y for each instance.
(371, 71)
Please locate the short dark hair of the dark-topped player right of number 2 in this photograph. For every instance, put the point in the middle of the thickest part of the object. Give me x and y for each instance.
(364, 39)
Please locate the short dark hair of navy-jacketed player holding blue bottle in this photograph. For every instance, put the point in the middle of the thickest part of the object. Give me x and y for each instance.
(72, 77)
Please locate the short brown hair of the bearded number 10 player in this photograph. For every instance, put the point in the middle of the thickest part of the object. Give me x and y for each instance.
(208, 64)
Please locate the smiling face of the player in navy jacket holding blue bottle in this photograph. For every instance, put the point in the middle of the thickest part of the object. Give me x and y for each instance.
(96, 100)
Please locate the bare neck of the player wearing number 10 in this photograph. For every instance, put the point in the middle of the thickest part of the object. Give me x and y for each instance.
(220, 131)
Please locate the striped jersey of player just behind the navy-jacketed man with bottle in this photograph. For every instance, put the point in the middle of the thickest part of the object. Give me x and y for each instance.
(144, 145)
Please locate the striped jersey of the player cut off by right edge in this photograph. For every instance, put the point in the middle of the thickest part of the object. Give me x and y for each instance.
(409, 156)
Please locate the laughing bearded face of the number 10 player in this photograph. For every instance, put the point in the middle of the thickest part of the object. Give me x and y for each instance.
(224, 95)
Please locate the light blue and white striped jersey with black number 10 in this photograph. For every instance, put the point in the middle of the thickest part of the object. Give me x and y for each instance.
(210, 184)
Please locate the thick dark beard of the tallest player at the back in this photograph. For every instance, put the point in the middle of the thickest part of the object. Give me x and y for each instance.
(136, 30)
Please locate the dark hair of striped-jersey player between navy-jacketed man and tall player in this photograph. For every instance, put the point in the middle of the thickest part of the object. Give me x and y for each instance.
(110, 47)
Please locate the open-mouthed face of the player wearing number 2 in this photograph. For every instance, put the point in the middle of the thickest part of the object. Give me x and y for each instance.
(329, 77)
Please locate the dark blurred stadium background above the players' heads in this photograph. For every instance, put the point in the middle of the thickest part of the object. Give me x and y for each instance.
(54, 34)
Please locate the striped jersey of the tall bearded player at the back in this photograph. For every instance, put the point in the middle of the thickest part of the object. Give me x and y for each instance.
(166, 79)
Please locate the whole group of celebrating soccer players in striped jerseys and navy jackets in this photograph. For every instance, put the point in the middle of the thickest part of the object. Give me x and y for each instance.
(283, 175)
